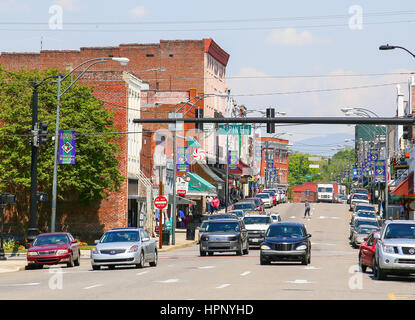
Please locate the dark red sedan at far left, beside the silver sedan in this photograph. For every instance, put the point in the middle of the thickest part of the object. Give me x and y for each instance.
(53, 248)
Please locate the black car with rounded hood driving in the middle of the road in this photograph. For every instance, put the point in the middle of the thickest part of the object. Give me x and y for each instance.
(286, 241)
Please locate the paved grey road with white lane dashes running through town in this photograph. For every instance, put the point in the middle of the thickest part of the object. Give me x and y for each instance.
(182, 274)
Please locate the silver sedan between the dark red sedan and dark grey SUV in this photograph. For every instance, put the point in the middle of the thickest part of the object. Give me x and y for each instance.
(124, 246)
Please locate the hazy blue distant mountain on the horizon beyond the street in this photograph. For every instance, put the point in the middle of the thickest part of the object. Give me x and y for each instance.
(323, 145)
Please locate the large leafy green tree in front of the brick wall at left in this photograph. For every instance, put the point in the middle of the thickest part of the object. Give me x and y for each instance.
(95, 173)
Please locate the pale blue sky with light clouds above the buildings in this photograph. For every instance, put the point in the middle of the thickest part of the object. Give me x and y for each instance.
(305, 58)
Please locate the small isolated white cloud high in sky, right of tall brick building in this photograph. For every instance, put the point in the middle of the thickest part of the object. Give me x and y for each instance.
(290, 37)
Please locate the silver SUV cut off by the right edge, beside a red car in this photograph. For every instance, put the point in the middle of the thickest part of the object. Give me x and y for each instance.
(395, 249)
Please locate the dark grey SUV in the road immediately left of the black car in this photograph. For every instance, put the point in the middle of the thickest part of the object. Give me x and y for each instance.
(225, 235)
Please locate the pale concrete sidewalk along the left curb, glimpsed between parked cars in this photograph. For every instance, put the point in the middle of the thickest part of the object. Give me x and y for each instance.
(17, 262)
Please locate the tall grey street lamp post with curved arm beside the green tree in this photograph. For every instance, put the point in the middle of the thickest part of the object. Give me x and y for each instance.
(91, 62)
